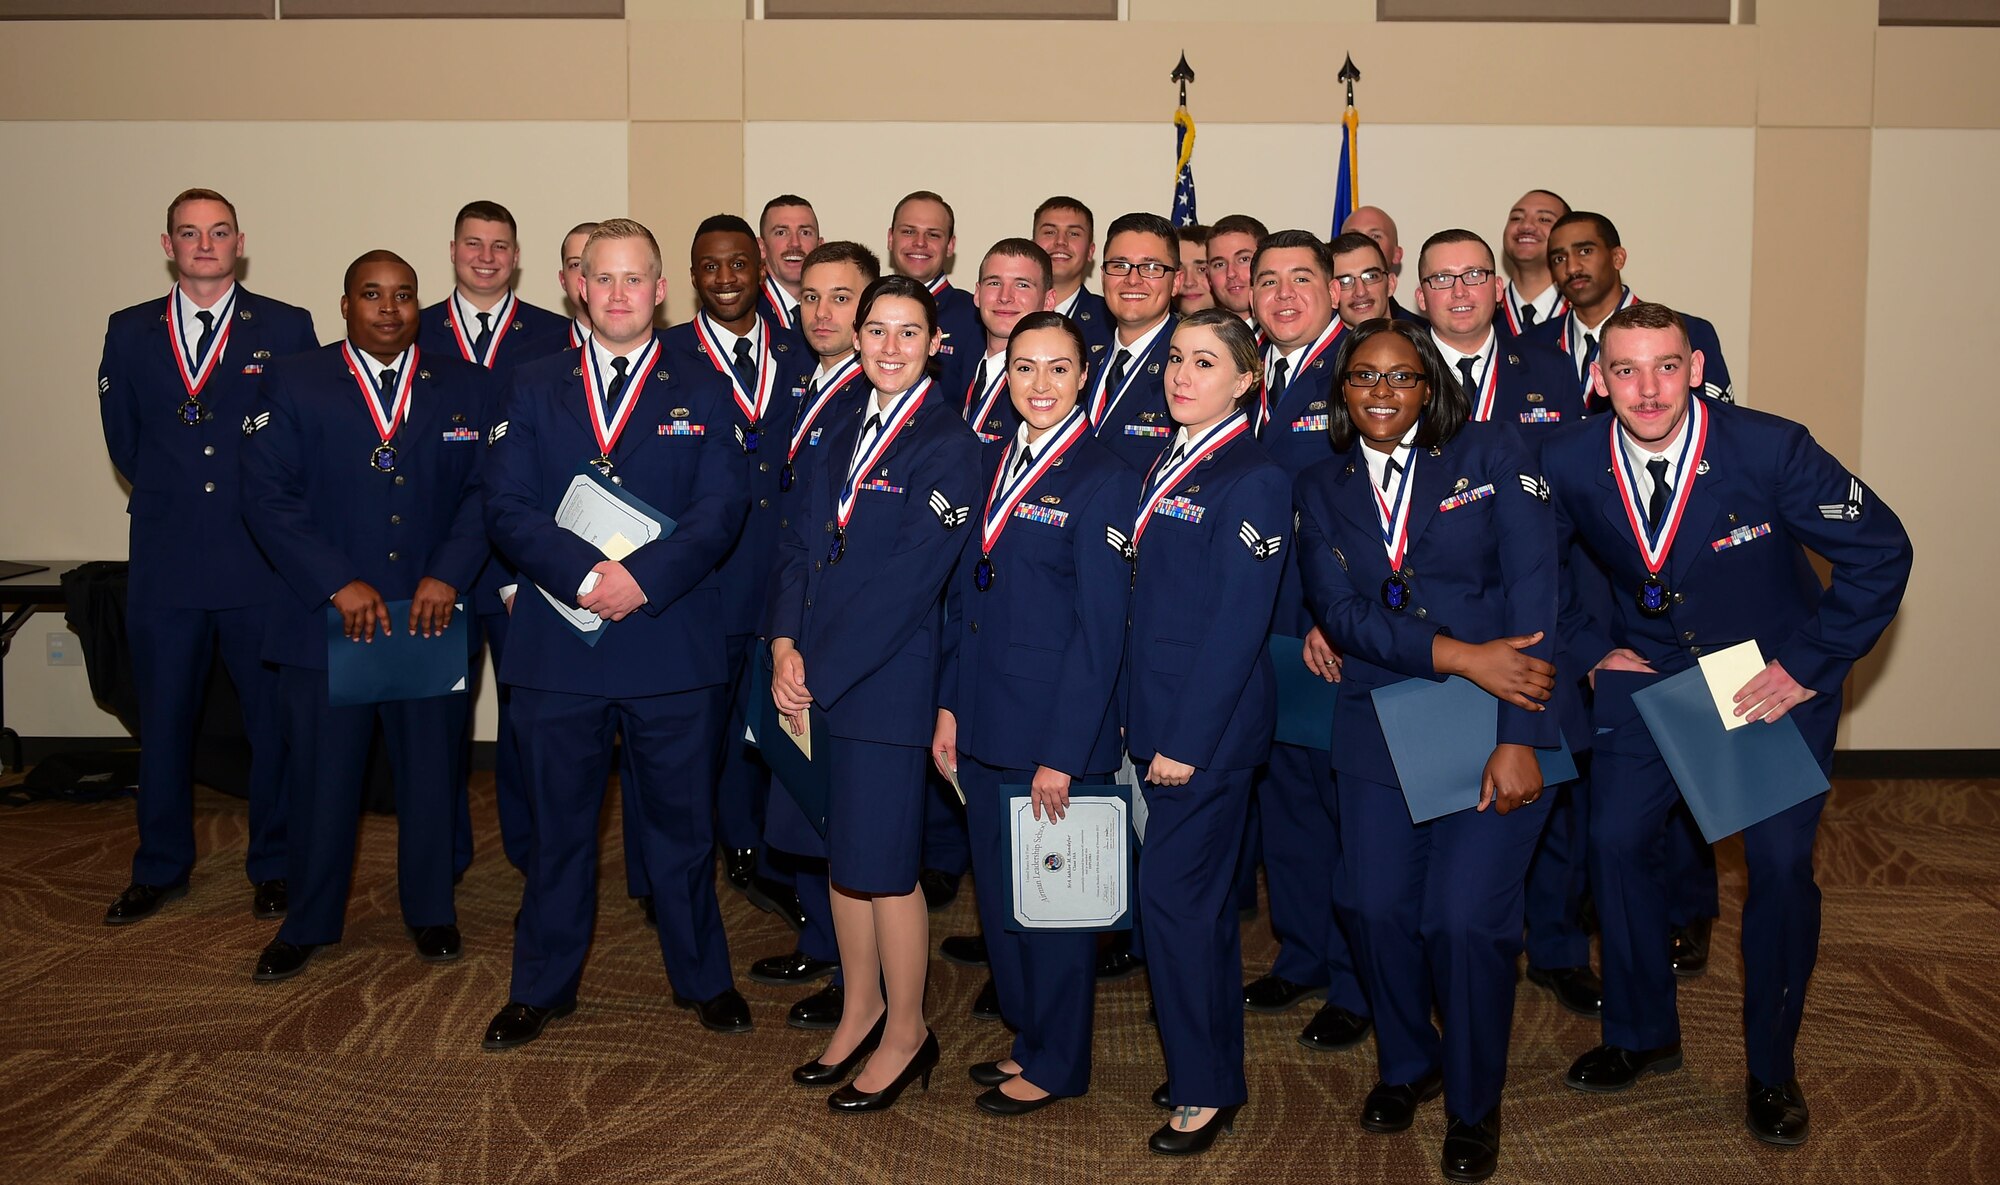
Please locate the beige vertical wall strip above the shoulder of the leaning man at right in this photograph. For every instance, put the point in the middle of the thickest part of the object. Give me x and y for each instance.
(1811, 233)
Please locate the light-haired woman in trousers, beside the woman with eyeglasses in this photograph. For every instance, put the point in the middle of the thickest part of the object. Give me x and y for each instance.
(1201, 704)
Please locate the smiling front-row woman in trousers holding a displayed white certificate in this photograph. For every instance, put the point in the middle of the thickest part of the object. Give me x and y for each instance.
(1033, 640)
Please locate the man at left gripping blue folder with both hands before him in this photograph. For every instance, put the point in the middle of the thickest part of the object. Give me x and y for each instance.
(361, 483)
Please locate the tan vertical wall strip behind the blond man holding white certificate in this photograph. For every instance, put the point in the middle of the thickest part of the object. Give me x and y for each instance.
(681, 175)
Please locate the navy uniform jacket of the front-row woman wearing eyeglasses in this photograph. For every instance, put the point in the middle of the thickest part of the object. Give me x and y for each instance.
(1481, 563)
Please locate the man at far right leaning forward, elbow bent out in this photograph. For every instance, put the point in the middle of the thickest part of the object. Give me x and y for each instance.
(1701, 515)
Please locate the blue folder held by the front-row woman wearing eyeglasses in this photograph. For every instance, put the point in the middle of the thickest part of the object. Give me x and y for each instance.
(1441, 738)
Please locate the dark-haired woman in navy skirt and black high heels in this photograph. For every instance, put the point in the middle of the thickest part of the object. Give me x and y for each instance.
(855, 638)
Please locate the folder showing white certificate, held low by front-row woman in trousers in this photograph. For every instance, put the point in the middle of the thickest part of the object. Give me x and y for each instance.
(1095, 882)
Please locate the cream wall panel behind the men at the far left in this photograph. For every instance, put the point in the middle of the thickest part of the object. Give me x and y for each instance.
(309, 199)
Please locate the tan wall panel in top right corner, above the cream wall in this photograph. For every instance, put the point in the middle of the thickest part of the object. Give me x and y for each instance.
(1937, 79)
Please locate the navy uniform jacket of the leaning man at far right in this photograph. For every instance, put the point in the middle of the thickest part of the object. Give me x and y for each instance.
(1739, 565)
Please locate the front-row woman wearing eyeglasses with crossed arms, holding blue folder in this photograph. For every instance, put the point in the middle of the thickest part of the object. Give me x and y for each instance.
(1429, 549)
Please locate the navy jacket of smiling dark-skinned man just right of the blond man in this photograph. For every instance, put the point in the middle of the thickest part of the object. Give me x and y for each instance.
(747, 571)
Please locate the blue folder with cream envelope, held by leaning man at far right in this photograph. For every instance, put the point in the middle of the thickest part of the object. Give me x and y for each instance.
(1729, 778)
